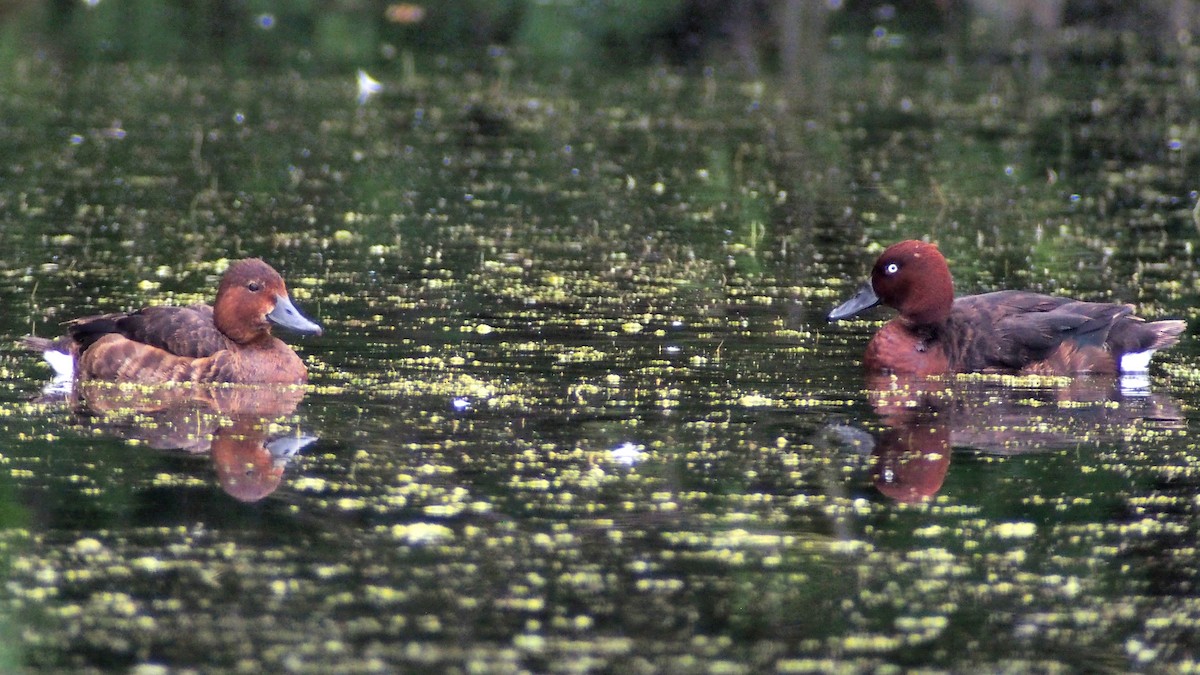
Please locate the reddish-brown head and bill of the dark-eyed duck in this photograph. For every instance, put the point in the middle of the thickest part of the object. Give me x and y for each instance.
(251, 297)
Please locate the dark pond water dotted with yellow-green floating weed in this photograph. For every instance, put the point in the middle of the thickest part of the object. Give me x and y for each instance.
(578, 407)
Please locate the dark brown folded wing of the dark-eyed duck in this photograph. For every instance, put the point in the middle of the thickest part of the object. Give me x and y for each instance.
(184, 332)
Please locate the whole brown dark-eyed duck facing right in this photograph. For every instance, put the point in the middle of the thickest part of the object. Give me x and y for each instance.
(227, 343)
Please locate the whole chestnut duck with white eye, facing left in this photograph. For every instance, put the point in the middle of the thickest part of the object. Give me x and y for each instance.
(1006, 332)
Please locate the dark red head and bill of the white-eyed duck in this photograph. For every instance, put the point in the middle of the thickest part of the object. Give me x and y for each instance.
(910, 277)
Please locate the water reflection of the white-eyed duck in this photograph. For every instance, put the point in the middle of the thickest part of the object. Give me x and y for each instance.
(926, 420)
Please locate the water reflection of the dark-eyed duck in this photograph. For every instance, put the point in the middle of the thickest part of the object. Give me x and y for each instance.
(241, 426)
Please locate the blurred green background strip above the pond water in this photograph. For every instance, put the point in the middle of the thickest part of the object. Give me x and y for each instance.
(748, 34)
